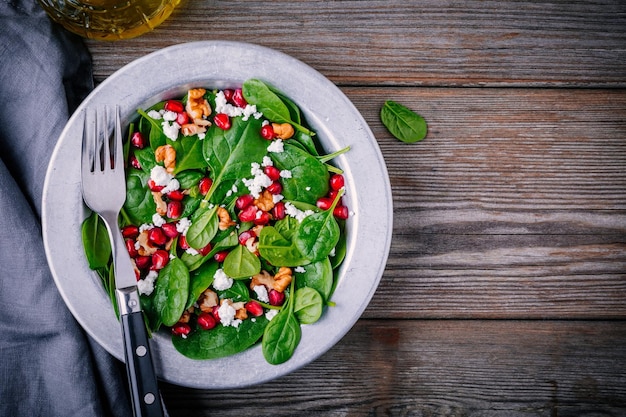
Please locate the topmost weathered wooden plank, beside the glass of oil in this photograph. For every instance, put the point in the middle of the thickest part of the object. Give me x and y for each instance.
(430, 42)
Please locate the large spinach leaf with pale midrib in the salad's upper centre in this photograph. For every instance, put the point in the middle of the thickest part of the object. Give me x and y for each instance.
(230, 153)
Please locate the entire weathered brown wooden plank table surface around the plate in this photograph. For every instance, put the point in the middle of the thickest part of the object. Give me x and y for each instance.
(505, 289)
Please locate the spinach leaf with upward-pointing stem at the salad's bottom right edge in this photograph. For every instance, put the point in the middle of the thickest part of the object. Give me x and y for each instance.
(282, 335)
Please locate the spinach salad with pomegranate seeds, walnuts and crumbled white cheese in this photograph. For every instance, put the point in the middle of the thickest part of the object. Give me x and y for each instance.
(234, 222)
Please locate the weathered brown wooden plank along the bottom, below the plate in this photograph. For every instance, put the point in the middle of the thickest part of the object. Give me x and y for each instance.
(442, 368)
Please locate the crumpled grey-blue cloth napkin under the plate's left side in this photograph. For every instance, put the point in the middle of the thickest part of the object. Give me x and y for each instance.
(48, 365)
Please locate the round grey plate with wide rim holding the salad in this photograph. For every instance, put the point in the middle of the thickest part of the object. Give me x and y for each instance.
(169, 73)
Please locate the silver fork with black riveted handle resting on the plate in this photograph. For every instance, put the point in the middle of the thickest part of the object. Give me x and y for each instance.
(104, 191)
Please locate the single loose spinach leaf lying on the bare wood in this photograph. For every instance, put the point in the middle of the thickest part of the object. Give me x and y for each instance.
(402, 122)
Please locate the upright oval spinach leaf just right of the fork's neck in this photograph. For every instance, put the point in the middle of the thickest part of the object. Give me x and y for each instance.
(171, 292)
